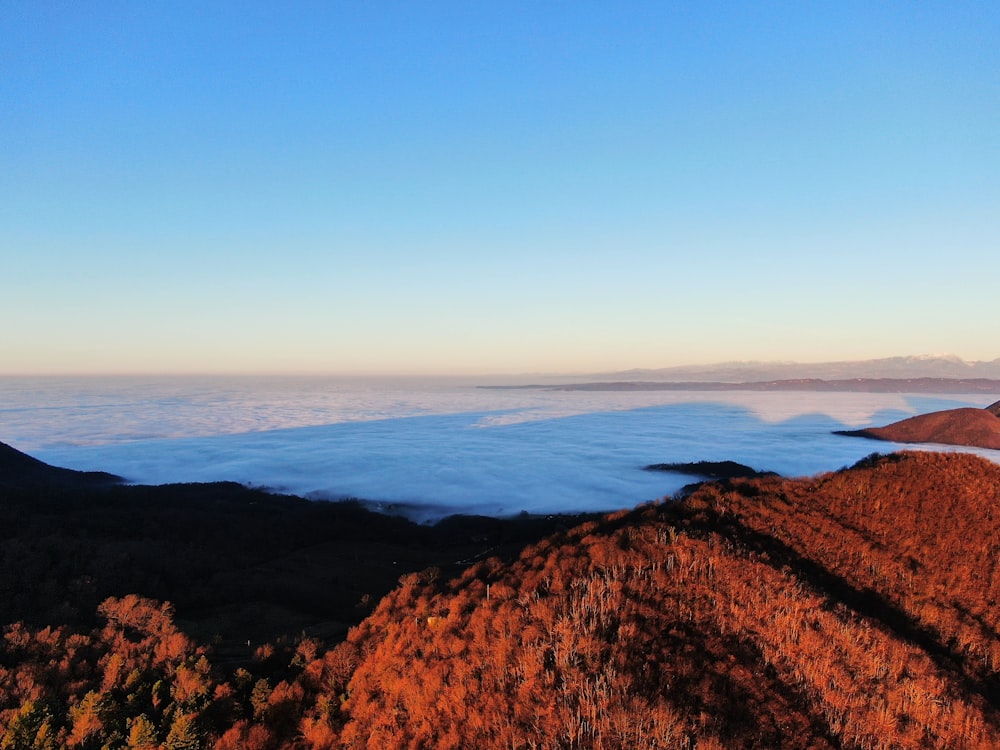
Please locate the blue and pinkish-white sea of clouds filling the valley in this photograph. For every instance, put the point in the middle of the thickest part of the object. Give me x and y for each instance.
(427, 448)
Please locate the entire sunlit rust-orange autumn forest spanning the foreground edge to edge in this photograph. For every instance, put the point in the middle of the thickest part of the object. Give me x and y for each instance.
(857, 609)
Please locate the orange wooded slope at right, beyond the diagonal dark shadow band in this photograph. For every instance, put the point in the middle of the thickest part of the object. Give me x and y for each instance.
(912, 539)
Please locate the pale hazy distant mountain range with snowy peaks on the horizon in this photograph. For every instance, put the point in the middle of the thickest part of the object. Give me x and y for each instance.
(924, 366)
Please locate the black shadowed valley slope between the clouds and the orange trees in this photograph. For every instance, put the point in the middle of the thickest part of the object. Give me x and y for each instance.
(237, 562)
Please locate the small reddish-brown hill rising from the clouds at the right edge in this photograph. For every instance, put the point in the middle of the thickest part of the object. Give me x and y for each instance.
(977, 428)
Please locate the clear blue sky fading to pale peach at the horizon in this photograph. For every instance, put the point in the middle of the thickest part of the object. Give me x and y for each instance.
(489, 187)
